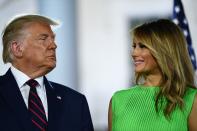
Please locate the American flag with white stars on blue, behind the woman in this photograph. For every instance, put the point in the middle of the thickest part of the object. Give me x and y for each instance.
(180, 19)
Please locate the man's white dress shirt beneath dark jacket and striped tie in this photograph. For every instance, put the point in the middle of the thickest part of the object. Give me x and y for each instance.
(21, 80)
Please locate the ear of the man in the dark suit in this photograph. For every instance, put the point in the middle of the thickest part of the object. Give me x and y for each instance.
(16, 49)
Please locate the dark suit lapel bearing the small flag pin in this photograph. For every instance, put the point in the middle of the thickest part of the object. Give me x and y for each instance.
(54, 106)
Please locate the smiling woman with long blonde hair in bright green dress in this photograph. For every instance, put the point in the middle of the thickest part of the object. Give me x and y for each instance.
(164, 97)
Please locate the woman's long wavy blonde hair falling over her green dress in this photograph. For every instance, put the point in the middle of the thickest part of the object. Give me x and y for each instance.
(167, 44)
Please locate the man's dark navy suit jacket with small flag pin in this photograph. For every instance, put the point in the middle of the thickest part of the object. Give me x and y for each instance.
(67, 109)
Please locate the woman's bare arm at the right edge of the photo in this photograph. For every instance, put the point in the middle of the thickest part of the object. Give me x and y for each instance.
(193, 117)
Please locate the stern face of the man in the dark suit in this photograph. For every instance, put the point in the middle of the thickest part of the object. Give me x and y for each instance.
(38, 48)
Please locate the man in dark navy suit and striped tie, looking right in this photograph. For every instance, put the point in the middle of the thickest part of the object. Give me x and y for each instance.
(28, 101)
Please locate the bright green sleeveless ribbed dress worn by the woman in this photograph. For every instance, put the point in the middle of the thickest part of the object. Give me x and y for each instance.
(134, 110)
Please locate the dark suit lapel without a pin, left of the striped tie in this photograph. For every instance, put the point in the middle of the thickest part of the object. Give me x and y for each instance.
(14, 99)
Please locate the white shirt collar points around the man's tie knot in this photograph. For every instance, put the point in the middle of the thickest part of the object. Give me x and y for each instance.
(21, 77)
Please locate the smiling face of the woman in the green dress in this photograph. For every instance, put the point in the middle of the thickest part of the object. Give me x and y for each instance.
(143, 60)
